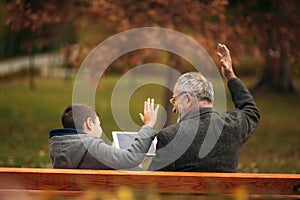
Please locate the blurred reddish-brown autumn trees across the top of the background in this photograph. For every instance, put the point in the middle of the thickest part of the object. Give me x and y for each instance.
(265, 29)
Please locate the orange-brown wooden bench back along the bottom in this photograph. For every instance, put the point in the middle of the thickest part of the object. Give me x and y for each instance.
(71, 182)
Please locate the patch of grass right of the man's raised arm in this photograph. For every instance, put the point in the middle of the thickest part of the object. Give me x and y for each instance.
(275, 145)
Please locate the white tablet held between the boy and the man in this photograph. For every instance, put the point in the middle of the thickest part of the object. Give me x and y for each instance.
(123, 140)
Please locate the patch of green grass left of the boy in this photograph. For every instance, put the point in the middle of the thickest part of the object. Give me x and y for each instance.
(26, 116)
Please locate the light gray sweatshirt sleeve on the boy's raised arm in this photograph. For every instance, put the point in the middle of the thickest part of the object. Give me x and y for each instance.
(124, 158)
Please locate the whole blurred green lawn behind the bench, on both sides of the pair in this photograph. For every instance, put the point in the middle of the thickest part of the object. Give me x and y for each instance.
(27, 115)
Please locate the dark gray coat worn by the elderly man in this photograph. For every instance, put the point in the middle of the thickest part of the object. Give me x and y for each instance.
(205, 140)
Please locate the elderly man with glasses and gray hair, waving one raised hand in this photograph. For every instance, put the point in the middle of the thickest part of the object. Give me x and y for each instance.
(203, 139)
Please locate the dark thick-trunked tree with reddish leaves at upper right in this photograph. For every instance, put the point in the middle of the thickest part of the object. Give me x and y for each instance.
(273, 28)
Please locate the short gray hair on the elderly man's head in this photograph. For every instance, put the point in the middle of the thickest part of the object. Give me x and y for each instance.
(197, 85)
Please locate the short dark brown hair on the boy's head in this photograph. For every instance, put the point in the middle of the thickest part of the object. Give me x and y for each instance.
(75, 115)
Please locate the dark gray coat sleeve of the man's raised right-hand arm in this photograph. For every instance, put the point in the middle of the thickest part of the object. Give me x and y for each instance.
(246, 109)
